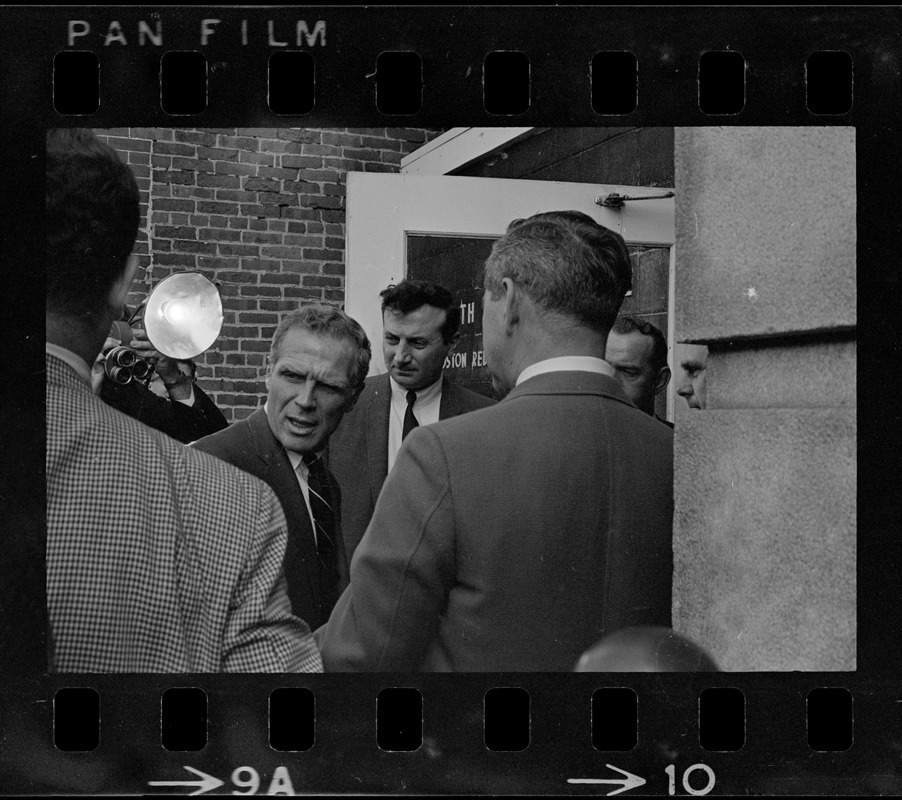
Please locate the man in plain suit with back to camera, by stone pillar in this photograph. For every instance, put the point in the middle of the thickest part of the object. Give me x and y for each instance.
(515, 537)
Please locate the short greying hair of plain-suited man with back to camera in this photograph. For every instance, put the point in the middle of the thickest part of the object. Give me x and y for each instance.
(567, 263)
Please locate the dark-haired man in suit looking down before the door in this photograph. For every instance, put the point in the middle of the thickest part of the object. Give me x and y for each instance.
(421, 328)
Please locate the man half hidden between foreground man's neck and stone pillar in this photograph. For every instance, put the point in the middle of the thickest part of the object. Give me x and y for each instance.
(637, 351)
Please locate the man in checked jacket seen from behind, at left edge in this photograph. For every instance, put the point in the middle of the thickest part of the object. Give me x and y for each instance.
(159, 558)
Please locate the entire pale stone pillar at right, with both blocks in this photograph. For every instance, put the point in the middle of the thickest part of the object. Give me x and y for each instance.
(764, 523)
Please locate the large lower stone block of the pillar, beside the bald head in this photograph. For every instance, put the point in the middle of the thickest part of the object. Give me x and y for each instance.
(764, 537)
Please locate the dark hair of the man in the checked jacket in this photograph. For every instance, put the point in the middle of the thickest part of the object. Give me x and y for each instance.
(93, 215)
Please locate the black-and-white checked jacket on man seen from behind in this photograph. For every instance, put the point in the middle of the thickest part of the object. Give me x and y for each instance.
(159, 558)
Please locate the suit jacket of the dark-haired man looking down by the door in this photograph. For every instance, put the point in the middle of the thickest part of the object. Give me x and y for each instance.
(358, 450)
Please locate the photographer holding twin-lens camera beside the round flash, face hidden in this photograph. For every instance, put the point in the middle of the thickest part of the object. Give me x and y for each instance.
(177, 407)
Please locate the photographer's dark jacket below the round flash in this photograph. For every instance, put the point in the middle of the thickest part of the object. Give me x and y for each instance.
(178, 420)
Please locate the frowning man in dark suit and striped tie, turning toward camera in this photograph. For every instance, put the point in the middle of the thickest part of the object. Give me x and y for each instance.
(317, 364)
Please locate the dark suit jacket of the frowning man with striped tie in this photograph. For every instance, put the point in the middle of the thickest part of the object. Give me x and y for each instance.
(250, 445)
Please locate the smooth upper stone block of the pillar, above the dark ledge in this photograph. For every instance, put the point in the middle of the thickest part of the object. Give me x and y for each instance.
(765, 231)
